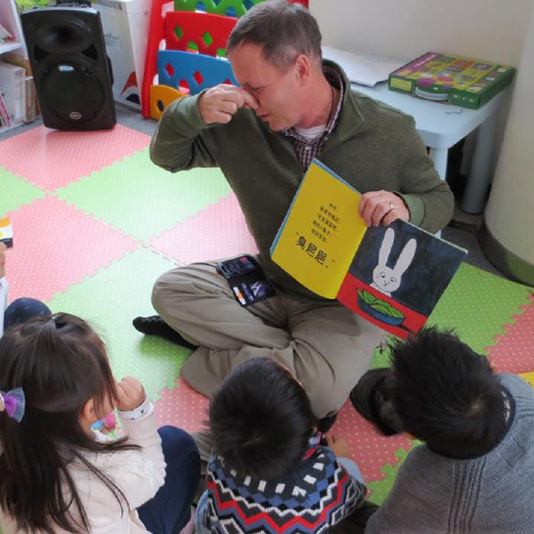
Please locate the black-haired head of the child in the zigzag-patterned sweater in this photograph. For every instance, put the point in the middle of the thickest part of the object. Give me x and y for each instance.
(261, 419)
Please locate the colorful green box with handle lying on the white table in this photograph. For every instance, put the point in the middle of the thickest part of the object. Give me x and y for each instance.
(468, 83)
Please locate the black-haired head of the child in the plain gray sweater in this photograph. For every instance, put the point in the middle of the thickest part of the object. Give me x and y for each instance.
(447, 395)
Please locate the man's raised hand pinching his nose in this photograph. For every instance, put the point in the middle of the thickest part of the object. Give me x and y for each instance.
(219, 104)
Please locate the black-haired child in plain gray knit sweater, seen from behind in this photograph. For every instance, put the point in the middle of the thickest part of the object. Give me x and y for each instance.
(473, 474)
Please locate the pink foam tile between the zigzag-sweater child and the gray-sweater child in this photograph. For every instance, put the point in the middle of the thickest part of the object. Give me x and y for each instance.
(370, 449)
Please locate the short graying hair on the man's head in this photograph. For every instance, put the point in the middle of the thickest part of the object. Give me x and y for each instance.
(283, 30)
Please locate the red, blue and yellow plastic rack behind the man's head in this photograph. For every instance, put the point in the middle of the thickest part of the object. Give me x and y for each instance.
(186, 49)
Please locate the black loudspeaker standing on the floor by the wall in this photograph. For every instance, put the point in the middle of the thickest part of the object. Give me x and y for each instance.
(71, 70)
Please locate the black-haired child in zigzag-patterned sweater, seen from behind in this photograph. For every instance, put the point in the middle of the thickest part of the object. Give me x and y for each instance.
(269, 471)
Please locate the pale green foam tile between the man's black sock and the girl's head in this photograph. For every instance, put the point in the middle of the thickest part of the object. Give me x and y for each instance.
(110, 300)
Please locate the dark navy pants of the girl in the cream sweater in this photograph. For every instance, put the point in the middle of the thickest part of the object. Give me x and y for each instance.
(169, 511)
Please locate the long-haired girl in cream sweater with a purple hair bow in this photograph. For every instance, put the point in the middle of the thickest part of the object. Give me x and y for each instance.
(55, 478)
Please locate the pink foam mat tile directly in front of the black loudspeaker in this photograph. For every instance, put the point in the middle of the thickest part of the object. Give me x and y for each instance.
(52, 158)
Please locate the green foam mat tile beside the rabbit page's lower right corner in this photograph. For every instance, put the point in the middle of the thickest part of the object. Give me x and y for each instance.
(478, 305)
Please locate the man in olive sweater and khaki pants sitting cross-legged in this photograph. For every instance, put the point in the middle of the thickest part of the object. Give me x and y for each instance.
(291, 106)
